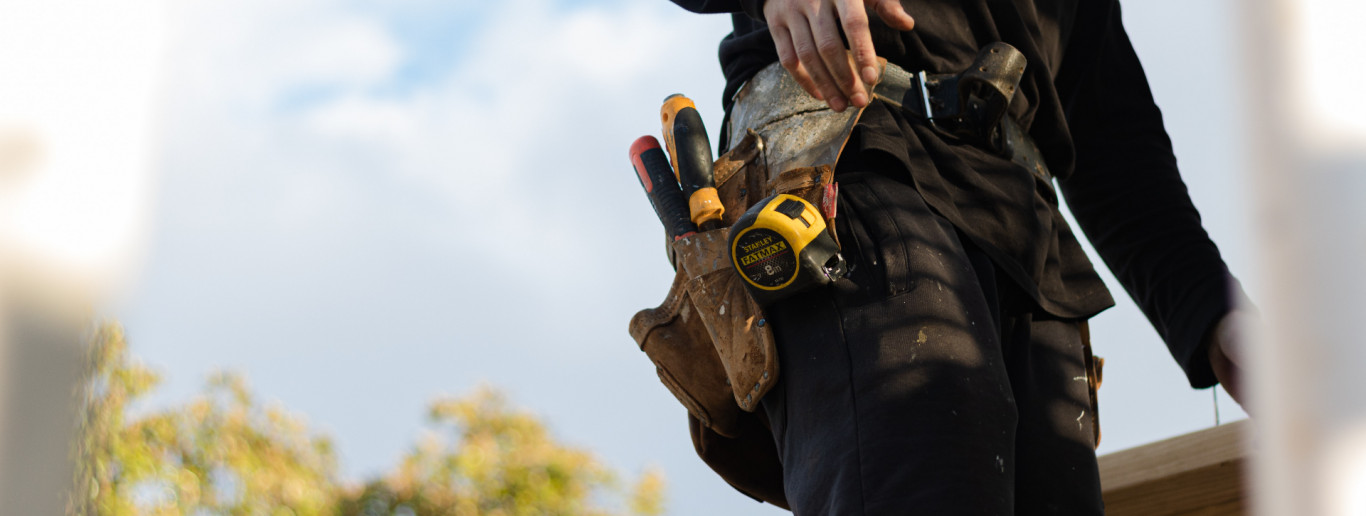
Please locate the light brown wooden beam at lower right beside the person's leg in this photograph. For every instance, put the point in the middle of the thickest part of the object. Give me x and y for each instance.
(1196, 474)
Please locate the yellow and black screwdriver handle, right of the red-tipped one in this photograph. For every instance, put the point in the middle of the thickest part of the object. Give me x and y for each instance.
(692, 152)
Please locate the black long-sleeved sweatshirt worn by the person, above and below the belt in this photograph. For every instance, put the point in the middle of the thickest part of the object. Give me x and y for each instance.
(1087, 102)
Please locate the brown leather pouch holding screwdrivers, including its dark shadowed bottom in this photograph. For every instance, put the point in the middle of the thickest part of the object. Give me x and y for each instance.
(710, 341)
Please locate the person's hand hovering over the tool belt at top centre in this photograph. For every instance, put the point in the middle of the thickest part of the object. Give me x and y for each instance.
(808, 39)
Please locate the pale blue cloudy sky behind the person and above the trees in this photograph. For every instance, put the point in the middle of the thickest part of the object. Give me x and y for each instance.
(364, 205)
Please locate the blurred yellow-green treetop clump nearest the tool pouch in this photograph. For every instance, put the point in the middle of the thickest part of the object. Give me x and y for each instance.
(487, 459)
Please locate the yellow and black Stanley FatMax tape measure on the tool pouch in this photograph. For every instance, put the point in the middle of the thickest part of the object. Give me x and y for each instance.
(781, 248)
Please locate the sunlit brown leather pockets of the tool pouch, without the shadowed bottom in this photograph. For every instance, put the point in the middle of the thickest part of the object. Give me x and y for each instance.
(710, 341)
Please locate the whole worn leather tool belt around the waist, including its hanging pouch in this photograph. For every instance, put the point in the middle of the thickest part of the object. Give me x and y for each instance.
(710, 341)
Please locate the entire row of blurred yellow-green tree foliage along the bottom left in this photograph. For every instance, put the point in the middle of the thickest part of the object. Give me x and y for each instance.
(225, 454)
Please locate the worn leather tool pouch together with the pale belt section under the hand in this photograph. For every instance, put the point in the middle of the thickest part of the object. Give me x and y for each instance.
(710, 341)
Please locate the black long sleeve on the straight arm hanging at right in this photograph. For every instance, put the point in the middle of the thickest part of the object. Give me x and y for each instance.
(1129, 199)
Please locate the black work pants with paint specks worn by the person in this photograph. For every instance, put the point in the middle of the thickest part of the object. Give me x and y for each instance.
(923, 384)
